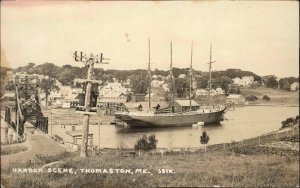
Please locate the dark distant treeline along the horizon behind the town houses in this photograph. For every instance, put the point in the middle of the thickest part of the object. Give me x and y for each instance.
(67, 73)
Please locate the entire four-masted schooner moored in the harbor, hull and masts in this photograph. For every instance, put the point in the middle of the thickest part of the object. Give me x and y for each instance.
(174, 115)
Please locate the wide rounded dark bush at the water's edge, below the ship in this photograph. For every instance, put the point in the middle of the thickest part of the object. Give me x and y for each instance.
(146, 143)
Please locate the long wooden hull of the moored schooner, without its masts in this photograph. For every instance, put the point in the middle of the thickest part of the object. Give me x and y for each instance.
(136, 120)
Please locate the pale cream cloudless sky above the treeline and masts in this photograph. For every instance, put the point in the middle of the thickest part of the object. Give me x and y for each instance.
(259, 36)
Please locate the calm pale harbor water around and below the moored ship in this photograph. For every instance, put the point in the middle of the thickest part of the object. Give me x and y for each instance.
(241, 123)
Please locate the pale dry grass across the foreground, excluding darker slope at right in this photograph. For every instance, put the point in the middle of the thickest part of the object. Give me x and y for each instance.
(221, 168)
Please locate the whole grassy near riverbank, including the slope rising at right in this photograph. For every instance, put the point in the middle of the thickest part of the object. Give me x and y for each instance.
(239, 164)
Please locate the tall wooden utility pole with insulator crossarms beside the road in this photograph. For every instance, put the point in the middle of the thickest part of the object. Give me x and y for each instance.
(89, 62)
